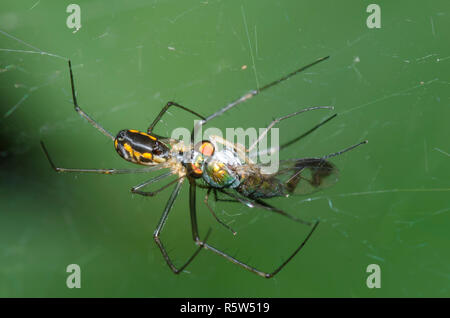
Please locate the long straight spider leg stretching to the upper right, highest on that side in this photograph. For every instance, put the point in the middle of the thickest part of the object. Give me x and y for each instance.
(250, 95)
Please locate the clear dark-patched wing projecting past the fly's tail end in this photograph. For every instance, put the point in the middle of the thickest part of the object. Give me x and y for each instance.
(304, 176)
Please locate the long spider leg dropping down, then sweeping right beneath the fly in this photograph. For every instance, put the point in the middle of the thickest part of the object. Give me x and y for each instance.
(203, 244)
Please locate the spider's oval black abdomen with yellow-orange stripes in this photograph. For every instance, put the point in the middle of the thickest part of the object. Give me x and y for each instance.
(141, 148)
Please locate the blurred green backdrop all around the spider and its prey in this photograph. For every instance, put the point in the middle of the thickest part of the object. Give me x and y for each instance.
(388, 85)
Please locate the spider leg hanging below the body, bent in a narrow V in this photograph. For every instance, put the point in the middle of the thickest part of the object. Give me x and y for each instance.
(160, 226)
